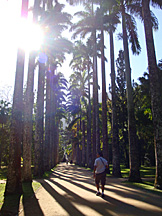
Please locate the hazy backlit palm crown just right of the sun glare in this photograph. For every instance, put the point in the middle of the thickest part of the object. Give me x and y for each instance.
(55, 21)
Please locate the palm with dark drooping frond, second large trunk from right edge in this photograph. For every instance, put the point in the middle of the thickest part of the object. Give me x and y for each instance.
(129, 32)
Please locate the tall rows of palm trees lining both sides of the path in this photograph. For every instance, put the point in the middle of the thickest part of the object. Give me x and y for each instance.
(126, 125)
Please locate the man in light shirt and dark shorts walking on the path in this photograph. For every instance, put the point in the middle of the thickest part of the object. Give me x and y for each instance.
(99, 173)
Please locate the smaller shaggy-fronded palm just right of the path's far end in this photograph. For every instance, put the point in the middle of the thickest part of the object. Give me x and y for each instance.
(77, 104)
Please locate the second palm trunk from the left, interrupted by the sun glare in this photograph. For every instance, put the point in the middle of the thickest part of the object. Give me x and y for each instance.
(28, 109)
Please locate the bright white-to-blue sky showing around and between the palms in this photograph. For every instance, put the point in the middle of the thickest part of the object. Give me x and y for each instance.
(9, 15)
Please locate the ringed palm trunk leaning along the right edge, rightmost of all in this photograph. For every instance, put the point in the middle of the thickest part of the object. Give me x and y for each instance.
(156, 100)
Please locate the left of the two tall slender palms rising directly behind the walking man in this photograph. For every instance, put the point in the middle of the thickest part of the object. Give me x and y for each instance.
(89, 24)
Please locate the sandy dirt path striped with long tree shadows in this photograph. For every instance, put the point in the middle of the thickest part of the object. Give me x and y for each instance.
(71, 191)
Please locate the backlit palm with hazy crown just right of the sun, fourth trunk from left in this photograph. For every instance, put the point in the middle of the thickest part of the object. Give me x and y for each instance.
(54, 21)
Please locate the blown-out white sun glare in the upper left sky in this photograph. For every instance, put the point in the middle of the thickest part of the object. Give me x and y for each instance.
(17, 32)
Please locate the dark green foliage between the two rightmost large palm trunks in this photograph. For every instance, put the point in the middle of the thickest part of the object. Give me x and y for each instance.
(144, 122)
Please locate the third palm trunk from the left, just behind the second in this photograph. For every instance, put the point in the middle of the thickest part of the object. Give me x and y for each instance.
(39, 128)
